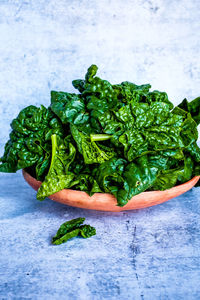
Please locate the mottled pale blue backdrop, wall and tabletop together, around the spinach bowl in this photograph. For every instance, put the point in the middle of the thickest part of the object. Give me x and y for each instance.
(147, 254)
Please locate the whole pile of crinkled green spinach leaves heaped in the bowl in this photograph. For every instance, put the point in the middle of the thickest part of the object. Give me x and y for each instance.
(121, 139)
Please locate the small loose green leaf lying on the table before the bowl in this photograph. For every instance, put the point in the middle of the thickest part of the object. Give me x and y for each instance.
(72, 229)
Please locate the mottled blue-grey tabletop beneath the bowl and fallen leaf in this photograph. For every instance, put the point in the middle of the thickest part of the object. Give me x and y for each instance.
(153, 253)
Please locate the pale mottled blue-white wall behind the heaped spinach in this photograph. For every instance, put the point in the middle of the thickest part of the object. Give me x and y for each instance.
(45, 44)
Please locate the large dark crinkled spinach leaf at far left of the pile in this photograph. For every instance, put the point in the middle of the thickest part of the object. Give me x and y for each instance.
(30, 142)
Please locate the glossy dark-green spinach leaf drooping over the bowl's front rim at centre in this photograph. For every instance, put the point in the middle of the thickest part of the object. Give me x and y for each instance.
(116, 177)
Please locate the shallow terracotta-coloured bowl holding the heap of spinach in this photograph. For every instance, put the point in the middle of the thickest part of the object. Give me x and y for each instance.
(108, 202)
